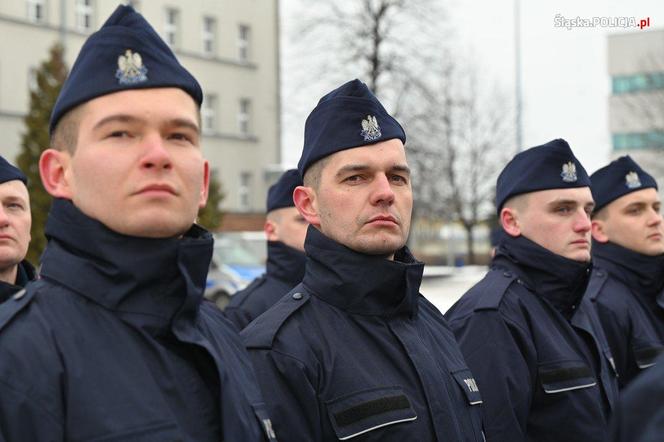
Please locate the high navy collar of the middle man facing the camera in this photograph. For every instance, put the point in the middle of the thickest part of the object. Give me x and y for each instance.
(359, 283)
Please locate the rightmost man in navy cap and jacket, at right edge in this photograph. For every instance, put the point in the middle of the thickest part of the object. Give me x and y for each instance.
(628, 255)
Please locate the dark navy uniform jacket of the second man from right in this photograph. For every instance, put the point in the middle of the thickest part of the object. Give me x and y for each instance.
(536, 348)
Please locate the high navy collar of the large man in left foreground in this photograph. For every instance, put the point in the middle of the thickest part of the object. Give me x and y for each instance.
(149, 282)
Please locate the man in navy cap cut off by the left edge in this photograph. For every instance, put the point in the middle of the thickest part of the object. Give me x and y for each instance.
(15, 222)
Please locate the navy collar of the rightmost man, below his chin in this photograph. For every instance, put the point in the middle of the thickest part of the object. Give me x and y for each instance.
(643, 273)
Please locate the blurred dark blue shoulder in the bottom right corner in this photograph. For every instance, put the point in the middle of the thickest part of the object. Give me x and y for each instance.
(639, 415)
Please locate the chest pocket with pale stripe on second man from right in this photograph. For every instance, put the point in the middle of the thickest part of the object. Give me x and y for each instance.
(564, 376)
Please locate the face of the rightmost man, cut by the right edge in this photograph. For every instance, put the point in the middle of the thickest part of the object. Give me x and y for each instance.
(632, 221)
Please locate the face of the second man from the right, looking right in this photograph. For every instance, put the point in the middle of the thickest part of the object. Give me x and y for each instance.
(558, 220)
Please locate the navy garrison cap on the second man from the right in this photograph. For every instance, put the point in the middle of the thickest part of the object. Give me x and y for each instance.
(549, 166)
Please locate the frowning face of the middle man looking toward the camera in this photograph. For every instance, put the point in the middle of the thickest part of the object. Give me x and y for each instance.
(364, 199)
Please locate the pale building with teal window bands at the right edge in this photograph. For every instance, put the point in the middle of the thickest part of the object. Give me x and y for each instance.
(636, 104)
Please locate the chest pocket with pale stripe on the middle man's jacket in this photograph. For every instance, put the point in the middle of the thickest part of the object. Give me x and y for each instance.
(367, 410)
